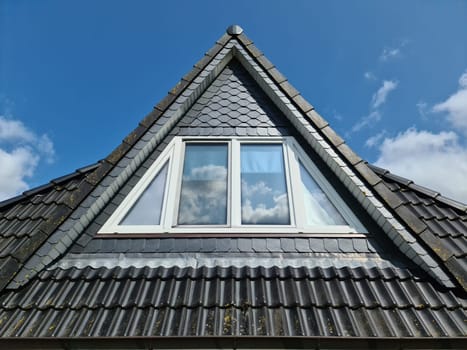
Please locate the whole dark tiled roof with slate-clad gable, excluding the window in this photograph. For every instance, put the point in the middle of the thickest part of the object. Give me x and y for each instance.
(404, 279)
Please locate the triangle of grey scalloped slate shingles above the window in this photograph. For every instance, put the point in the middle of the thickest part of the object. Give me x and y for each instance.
(235, 104)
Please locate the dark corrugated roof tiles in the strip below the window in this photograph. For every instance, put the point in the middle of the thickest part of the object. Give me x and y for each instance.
(231, 301)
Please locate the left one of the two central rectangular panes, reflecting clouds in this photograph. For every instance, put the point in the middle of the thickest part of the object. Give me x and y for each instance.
(203, 197)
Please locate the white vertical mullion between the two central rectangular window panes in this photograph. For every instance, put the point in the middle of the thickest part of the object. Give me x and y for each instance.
(236, 186)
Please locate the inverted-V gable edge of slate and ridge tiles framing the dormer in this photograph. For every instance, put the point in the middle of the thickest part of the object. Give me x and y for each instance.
(125, 160)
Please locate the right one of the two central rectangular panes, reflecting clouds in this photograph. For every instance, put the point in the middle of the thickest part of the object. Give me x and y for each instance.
(264, 190)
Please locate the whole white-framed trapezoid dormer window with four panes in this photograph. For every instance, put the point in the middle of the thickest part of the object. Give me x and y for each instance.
(233, 185)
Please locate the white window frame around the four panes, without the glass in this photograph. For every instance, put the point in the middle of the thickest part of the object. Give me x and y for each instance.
(174, 154)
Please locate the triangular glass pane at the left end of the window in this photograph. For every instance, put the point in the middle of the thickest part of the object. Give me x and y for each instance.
(147, 209)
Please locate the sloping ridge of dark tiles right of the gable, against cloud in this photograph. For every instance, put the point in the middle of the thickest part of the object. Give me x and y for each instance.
(419, 188)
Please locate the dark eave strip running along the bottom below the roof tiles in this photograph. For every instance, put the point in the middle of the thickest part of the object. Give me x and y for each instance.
(236, 342)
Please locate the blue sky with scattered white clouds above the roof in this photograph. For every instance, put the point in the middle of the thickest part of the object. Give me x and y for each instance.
(77, 76)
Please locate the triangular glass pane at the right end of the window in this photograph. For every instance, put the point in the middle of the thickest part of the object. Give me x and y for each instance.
(318, 207)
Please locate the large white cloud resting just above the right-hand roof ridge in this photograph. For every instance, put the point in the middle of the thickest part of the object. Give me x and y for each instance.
(435, 160)
